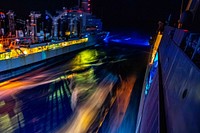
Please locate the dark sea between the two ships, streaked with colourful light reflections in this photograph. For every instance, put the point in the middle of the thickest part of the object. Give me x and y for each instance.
(96, 89)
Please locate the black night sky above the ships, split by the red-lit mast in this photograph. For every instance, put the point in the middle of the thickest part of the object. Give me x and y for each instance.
(114, 13)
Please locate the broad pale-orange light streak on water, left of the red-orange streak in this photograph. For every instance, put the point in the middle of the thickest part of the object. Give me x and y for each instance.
(86, 113)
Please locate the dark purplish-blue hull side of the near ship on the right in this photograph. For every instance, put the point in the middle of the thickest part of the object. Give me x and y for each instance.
(172, 102)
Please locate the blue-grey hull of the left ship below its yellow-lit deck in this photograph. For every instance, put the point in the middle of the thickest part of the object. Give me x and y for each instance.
(18, 66)
